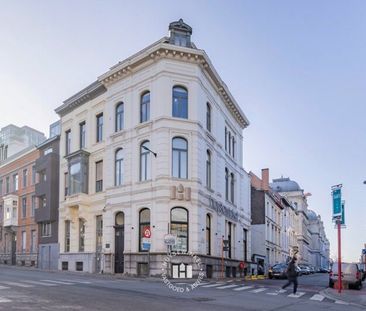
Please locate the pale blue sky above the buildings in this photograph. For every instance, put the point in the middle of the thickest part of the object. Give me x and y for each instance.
(297, 69)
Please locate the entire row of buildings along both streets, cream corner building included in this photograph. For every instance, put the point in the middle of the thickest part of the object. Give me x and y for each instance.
(151, 150)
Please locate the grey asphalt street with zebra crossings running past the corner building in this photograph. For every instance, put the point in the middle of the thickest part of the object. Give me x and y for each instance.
(30, 289)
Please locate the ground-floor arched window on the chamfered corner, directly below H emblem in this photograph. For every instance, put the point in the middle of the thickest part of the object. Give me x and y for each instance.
(179, 228)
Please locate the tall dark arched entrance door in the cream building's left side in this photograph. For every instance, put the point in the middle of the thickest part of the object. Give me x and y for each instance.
(119, 242)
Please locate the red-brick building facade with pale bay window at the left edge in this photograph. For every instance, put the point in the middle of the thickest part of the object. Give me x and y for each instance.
(19, 234)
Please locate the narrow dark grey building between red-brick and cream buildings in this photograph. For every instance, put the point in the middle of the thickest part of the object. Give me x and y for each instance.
(47, 194)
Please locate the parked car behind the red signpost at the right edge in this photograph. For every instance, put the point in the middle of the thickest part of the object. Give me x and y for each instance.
(351, 275)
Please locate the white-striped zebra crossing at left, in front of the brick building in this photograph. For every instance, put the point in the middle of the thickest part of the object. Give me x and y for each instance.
(25, 284)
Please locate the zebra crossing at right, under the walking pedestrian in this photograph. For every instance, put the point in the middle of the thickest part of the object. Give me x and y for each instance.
(270, 291)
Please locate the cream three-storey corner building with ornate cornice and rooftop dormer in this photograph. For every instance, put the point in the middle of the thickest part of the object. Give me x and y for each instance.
(154, 145)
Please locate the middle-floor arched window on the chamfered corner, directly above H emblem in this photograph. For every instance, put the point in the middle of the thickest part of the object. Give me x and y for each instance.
(180, 158)
